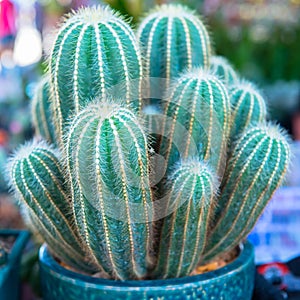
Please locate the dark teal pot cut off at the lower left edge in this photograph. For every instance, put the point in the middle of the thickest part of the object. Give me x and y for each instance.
(10, 265)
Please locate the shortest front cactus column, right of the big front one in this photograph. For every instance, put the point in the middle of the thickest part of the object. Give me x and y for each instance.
(190, 197)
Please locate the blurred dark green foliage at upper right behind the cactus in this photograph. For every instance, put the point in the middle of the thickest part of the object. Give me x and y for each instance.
(266, 61)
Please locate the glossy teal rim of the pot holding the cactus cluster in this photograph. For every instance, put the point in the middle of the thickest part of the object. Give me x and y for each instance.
(245, 257)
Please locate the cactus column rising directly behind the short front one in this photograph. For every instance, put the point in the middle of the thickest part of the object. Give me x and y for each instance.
(197, 119)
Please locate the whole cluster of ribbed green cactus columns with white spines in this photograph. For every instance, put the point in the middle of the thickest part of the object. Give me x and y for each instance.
(111, 195)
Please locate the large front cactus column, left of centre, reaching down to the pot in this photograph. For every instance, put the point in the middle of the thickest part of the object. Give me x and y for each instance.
(108, 163)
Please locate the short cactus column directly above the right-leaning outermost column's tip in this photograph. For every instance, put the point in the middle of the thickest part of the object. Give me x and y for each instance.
(248, 107)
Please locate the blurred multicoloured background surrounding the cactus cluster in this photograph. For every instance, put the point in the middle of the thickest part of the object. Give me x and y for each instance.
(261, 38)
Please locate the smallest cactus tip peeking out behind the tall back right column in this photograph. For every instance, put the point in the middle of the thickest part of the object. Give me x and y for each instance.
(221, 67)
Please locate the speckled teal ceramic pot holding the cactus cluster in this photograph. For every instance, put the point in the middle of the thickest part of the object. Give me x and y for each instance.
(234, 281)
